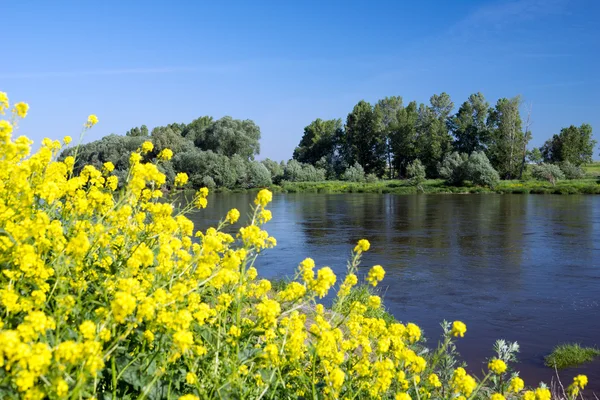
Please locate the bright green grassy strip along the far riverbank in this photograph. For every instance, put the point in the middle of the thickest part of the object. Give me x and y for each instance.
(432, 186)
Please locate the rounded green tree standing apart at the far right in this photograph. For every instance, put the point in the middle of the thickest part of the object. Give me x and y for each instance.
(572, 144)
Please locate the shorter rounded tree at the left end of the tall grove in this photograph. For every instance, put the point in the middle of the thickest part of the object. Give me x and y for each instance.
(318, 141)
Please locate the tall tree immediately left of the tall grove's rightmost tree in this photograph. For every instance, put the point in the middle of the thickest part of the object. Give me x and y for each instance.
(469, 125)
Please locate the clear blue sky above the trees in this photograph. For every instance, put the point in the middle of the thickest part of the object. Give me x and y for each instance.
(283, 64)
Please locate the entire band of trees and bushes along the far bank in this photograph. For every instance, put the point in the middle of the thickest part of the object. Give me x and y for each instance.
(387, 140)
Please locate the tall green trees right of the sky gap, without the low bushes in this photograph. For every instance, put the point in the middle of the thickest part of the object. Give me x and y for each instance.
(385, 138)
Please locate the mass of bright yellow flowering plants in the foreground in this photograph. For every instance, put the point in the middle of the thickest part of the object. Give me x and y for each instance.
(113, 299)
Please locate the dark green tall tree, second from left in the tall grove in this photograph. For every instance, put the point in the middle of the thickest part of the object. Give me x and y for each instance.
(362, 141)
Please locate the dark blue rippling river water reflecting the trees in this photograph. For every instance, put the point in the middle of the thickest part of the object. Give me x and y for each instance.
(523, 268)
